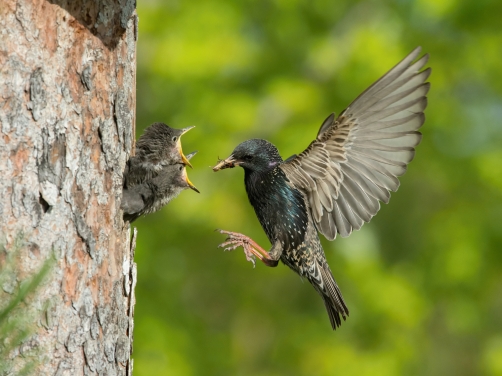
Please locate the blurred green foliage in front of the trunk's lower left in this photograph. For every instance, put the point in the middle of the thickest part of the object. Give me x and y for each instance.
(17, 321)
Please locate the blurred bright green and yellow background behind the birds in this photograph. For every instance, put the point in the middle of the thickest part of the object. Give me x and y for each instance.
(423, 280)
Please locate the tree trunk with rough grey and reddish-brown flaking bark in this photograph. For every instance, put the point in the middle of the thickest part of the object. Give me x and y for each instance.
(67, 102)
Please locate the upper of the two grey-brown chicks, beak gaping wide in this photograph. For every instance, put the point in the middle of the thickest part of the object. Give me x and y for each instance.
(158, 146)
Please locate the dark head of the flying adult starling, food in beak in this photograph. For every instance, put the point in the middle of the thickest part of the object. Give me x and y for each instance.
(253, 155)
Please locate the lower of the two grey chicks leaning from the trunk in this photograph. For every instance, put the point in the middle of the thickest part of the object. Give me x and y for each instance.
(151, 195)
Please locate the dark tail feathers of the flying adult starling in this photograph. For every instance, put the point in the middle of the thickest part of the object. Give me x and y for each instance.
(332, 296)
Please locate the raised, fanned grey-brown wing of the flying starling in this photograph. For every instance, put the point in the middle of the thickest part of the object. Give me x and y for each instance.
(356, 159)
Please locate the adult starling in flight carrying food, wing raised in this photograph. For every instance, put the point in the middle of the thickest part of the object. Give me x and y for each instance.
(335, 185)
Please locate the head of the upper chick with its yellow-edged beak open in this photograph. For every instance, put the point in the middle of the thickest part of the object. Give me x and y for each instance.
(161, 145)
